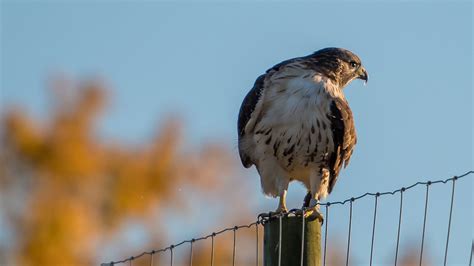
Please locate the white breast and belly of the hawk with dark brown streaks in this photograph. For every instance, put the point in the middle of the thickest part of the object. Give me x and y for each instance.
(294, 126)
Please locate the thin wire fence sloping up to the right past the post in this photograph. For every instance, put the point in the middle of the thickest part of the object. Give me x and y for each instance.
(264, 218)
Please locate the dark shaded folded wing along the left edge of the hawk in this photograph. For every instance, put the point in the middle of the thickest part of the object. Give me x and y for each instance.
(250, 109)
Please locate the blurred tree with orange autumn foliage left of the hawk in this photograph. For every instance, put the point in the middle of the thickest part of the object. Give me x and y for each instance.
(64, 191)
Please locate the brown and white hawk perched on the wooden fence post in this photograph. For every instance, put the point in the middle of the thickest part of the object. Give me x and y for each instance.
(296, 124)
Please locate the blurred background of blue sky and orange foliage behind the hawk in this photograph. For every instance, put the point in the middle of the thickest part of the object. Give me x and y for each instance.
(118, 125)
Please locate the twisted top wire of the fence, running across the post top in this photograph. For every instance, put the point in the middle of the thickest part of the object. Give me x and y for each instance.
(263, 218)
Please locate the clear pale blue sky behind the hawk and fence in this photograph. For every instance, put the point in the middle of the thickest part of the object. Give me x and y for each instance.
(414, 118)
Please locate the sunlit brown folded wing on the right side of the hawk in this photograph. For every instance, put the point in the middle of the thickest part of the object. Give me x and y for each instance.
(344, 136)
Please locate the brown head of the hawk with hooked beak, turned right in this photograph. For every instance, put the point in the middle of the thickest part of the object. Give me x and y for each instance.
(340, 65)
